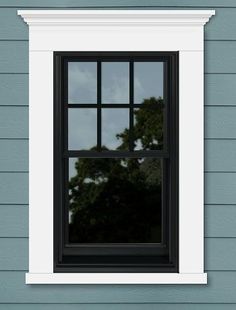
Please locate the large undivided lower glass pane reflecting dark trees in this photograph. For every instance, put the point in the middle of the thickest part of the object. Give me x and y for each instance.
(115, 200)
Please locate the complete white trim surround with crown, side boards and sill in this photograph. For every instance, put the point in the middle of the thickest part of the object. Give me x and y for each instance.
(116, 30)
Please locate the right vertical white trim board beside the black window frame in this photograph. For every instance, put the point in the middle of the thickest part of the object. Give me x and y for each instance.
(191, 162)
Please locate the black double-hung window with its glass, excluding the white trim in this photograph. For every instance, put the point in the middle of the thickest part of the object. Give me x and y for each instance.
(116, 162)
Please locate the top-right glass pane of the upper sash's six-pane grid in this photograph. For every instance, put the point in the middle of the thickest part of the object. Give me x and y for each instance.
(148, 80)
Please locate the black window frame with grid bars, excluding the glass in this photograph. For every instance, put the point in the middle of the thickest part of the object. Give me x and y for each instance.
(135, 257)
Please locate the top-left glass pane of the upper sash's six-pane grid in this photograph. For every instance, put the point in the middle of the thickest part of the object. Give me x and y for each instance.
(82, 82)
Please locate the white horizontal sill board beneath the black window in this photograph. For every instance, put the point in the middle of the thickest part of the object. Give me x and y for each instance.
(116, 278)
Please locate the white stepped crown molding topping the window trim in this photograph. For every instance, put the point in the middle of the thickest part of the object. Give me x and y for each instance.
(116, 17)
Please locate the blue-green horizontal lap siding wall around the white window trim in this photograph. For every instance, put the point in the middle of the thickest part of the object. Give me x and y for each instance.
(220, 172)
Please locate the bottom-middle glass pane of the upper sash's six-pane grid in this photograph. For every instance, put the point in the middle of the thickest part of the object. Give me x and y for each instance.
(115, 124)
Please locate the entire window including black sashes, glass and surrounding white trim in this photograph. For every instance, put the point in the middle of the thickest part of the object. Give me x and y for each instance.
(103, 33)
